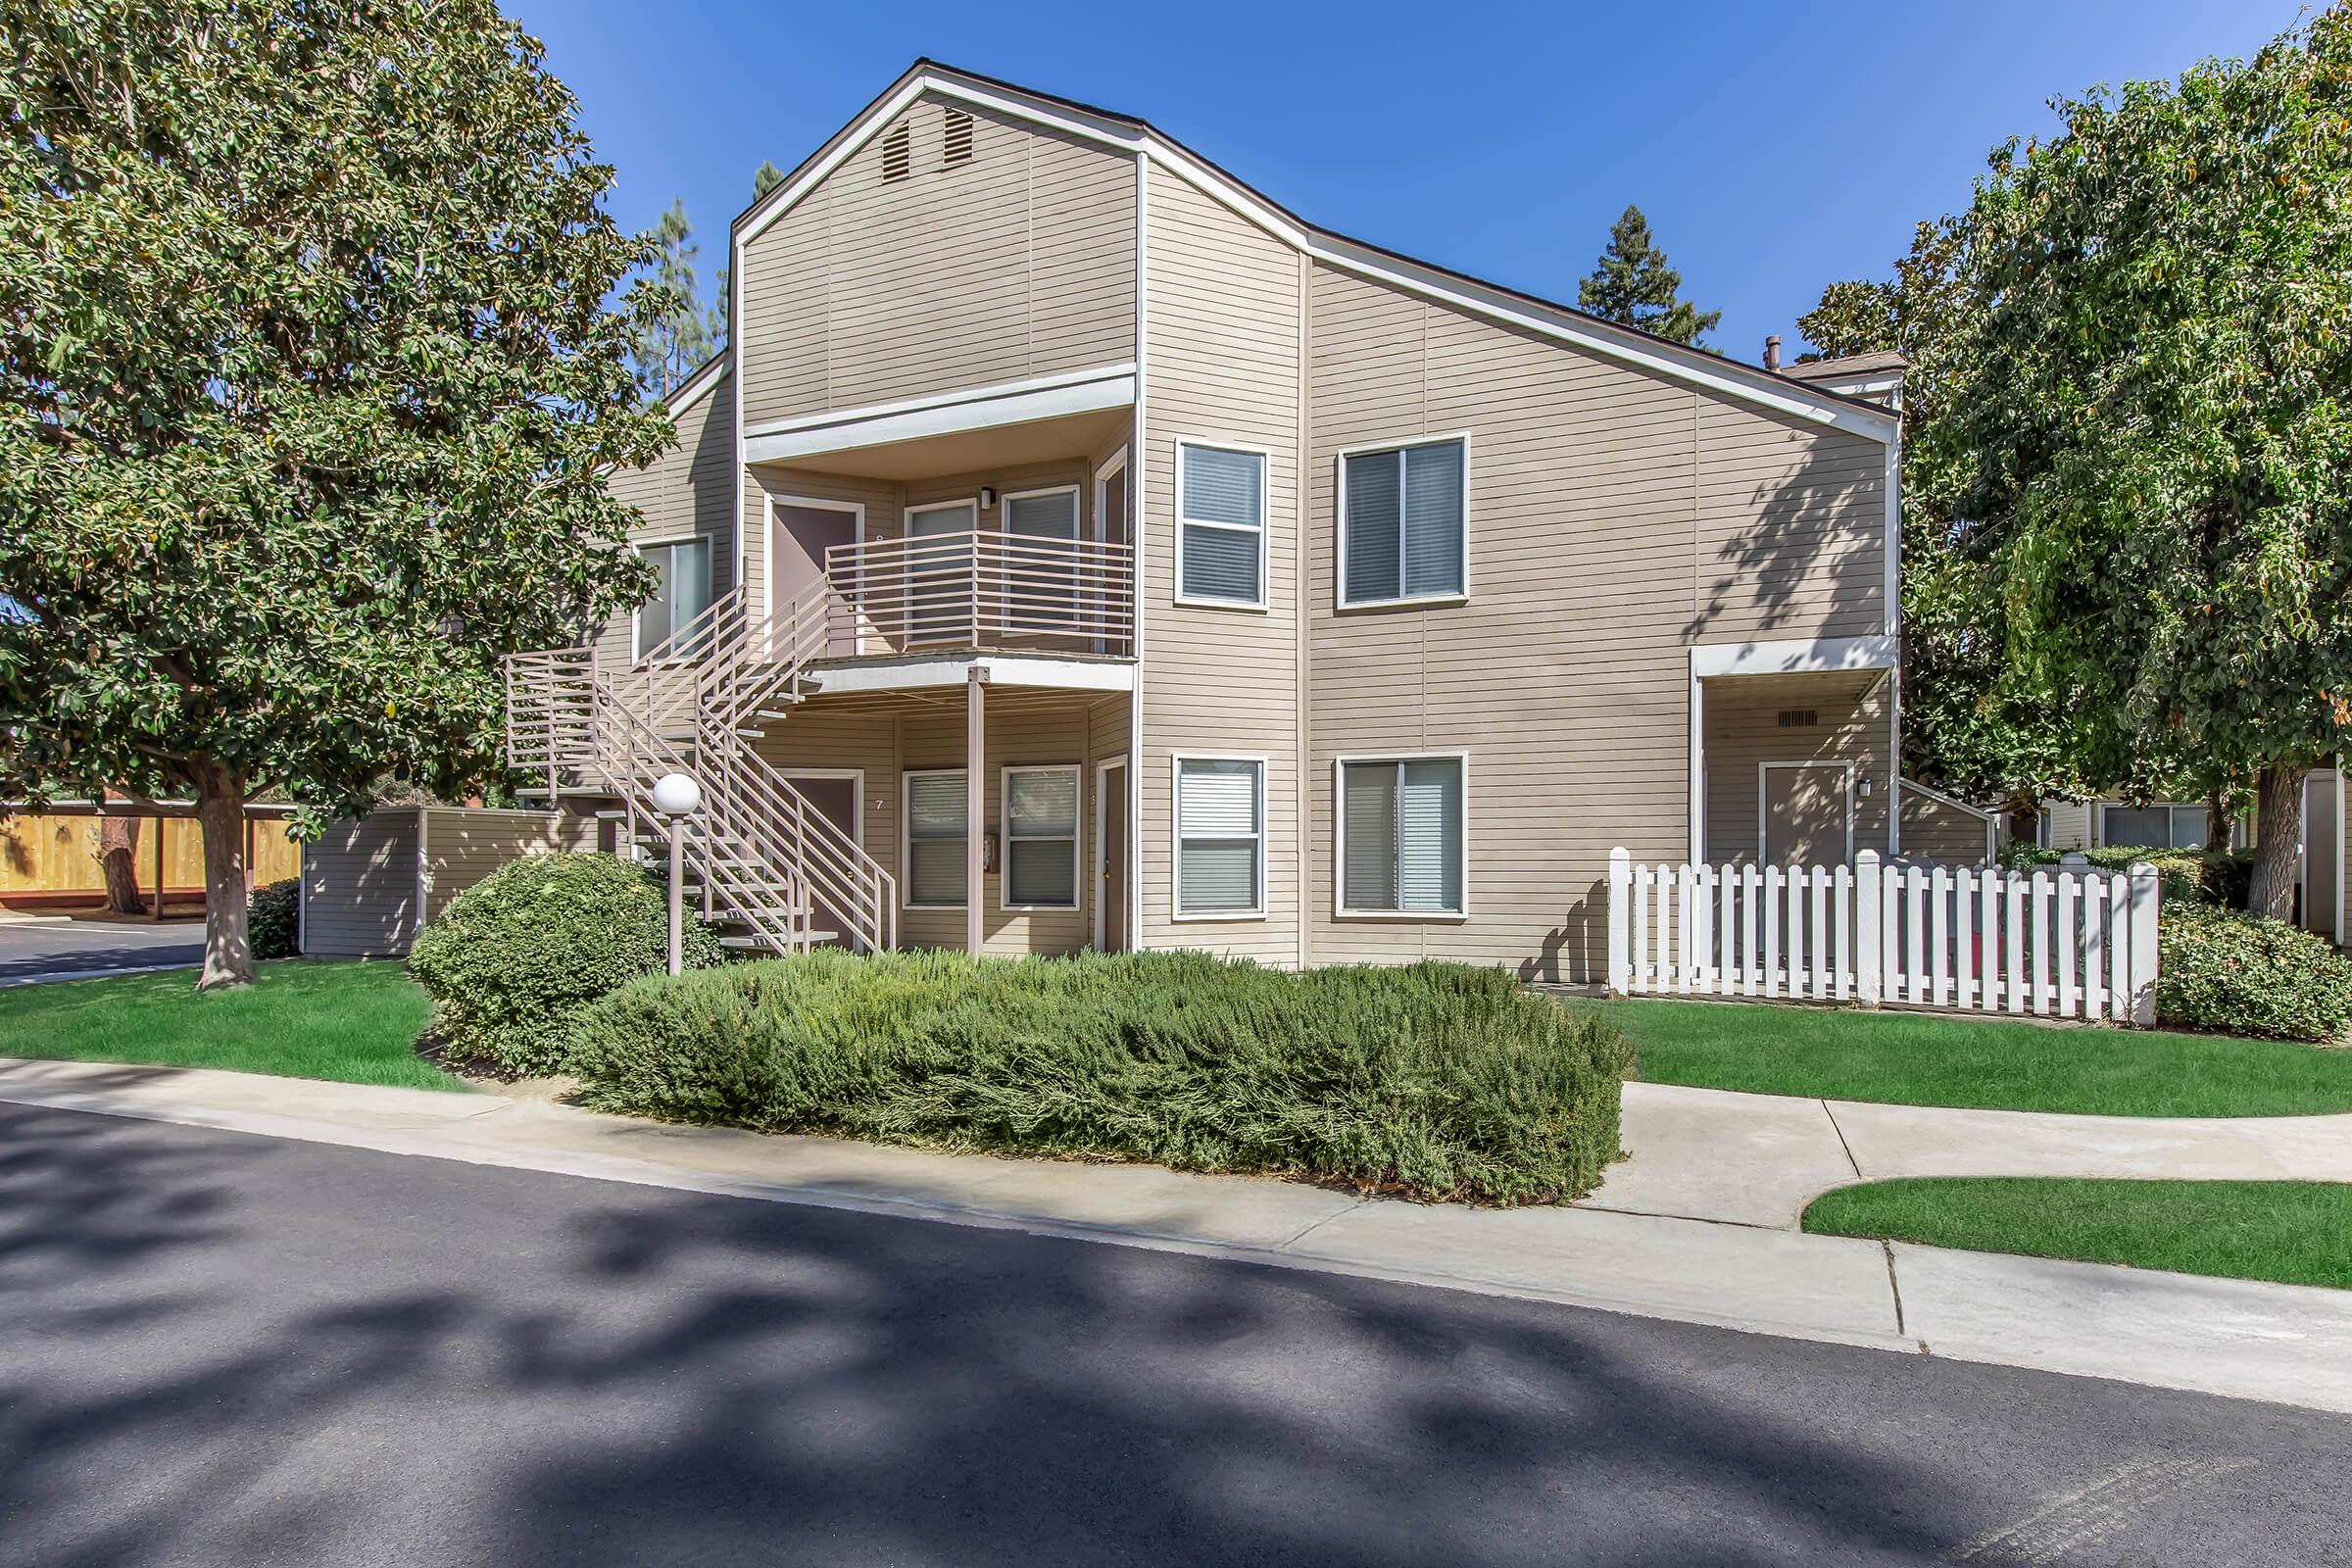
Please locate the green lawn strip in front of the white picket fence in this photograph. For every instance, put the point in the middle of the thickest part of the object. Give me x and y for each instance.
(1913, 1059)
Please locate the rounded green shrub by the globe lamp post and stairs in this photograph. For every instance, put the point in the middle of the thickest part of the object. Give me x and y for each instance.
(516, 958)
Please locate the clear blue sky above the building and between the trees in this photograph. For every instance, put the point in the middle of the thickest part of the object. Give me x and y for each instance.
(1775, 147)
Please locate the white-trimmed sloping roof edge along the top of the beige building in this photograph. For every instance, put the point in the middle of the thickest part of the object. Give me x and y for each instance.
(1777, 391)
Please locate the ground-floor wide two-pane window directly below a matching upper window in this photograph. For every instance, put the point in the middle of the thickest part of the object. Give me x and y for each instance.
(1401, 836)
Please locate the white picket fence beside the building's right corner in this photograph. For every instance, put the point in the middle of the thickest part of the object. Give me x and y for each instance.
(2059, 942)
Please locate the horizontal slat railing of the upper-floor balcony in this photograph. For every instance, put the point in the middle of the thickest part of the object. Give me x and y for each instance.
(984, 591)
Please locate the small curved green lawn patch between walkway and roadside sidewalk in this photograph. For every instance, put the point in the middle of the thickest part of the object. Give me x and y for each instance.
(2294, 1233)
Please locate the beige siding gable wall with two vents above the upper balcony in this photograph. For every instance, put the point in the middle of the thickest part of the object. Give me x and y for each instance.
(1008, 267)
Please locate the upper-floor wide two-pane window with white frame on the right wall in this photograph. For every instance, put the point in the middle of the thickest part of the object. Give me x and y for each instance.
(1401, 523)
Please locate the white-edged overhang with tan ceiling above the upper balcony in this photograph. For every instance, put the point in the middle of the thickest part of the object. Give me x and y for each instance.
(991, 427)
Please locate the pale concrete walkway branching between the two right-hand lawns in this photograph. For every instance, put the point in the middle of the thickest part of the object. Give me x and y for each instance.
(1760, 1160)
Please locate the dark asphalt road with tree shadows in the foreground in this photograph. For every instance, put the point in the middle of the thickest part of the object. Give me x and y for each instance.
(239, 1351)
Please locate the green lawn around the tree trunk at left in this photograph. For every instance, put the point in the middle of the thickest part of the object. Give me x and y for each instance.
(354, 1024)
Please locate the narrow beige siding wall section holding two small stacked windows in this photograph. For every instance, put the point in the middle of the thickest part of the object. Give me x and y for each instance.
(1222, 366)
